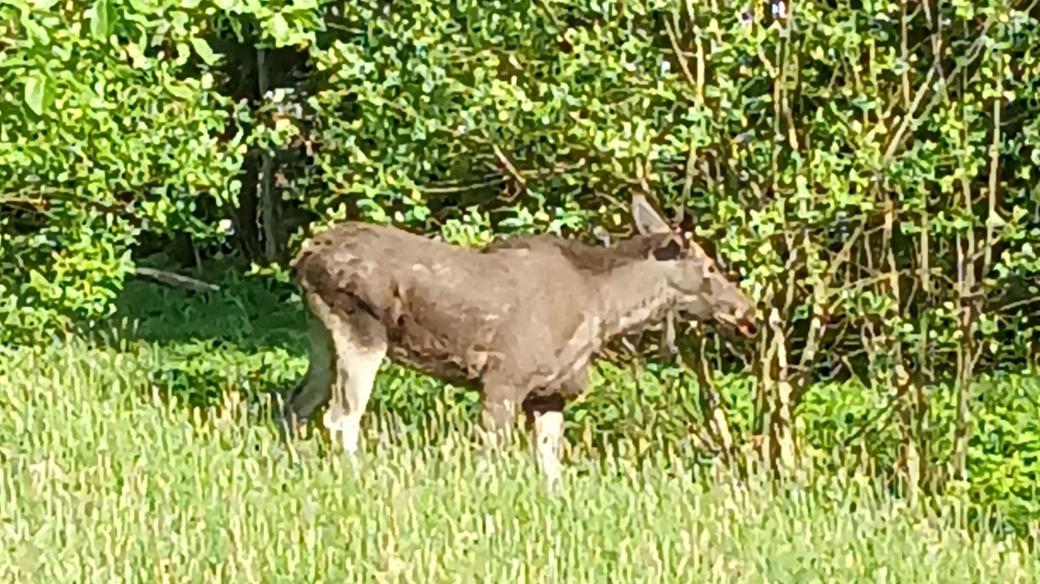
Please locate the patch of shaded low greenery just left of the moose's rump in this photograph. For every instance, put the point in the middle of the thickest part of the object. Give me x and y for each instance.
(250, 337)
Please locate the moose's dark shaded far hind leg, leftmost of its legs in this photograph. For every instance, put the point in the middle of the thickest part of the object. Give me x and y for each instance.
(315, 390)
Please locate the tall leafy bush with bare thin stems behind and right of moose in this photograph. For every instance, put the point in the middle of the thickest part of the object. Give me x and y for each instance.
(870, 173)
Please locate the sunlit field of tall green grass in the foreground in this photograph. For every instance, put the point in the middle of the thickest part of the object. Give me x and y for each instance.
(106, 480)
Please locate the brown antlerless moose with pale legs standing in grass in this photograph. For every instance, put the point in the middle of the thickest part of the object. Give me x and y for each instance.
(521, 321)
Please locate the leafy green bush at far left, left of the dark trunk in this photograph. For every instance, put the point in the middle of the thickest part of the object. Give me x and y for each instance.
(109, 132)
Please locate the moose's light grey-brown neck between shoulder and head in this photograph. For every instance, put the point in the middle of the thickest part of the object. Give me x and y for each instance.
(634, 297)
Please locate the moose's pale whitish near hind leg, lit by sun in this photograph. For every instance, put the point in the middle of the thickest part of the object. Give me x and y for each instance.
(360, 344)
